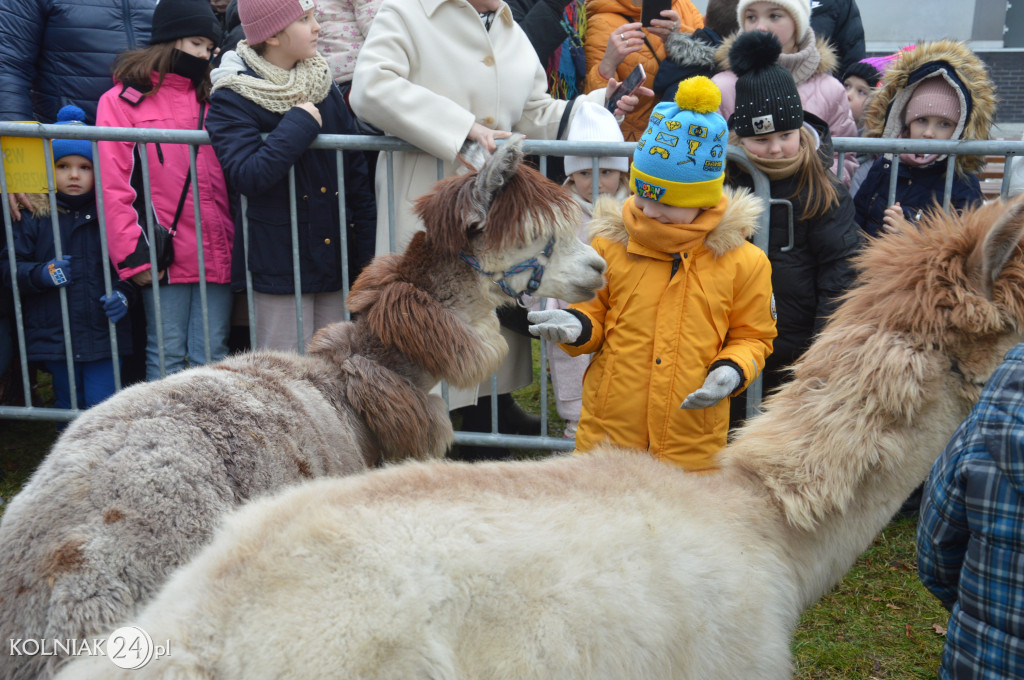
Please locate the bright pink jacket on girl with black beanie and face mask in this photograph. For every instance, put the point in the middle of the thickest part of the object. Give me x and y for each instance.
(174, 107)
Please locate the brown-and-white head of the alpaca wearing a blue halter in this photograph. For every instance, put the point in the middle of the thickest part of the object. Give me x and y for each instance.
(515, 227)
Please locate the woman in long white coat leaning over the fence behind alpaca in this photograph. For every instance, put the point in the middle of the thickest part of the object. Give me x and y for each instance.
(441, 73)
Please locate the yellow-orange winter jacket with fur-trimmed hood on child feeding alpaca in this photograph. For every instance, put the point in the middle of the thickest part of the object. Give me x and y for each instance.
(657, 334)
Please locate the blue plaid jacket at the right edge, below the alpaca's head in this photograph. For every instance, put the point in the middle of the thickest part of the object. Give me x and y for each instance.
(971, 534)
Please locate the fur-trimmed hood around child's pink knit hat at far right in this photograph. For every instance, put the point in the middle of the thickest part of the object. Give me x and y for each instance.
(969, 76)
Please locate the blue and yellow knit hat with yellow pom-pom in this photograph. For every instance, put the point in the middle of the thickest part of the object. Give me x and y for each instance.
(680, 160)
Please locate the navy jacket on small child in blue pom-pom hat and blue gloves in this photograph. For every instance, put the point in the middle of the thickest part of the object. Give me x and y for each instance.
(41, 307)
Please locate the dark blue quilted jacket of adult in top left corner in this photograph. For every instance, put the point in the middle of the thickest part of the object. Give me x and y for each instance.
(56, 53)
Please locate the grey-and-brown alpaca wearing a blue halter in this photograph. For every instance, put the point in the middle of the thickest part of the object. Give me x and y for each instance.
(136, 486)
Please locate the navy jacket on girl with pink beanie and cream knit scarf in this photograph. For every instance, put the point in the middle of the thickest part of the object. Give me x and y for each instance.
(259, 169)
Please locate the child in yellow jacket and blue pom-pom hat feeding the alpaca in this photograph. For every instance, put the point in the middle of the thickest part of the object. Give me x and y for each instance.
(688, 317)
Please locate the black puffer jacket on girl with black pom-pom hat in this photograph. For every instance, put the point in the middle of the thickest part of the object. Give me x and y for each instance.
(808, 278)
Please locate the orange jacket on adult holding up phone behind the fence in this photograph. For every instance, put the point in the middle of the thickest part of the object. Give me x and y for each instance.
(604, 18)
